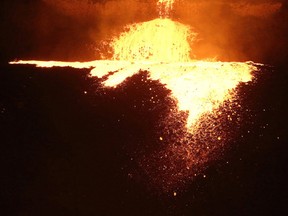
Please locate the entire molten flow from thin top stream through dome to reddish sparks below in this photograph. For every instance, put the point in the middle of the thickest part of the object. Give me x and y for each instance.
(162, 47)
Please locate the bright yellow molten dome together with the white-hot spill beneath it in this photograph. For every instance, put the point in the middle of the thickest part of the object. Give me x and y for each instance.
(162, 47)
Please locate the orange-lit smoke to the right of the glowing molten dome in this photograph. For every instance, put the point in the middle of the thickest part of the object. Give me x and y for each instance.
(235, 30)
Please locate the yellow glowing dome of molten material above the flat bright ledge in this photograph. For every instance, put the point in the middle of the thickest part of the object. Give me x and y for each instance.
(160, 40)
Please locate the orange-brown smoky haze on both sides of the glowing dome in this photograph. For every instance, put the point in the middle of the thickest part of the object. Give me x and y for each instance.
(75, 30)
